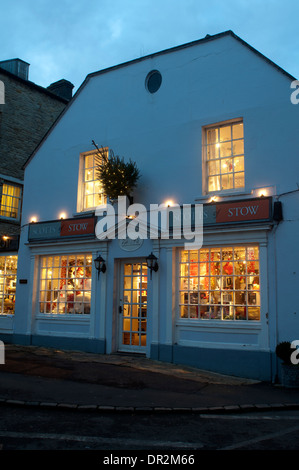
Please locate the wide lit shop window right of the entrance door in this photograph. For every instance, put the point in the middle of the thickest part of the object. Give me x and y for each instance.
(220, 283)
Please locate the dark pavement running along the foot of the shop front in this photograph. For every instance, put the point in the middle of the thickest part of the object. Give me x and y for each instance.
(50, 378)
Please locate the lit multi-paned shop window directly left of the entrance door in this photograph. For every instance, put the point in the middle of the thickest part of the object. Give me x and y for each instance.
(65, 284)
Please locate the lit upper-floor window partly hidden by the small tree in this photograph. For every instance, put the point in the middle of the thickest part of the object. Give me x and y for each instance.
(91, 192)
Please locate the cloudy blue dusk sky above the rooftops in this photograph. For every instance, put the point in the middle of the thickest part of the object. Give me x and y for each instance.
(72, 38)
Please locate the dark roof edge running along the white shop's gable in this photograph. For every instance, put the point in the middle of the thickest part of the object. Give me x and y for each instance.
(207, 38)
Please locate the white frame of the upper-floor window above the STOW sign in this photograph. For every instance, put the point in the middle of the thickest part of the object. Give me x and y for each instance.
(205, 173)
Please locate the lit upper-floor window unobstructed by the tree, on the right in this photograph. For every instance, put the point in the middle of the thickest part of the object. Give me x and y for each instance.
(224, 157)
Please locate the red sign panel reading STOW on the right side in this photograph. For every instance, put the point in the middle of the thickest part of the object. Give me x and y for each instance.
(253, 209)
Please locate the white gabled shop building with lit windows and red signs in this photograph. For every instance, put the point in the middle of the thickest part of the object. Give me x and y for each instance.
(210, 122)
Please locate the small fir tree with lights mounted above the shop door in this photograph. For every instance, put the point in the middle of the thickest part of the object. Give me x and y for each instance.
(118, 177)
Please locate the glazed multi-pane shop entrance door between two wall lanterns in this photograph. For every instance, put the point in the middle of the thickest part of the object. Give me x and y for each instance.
(133, 307)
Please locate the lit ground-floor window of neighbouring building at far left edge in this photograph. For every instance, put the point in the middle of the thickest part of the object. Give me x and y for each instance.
(8, 282)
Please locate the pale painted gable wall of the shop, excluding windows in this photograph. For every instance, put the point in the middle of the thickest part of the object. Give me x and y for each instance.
(203, 84)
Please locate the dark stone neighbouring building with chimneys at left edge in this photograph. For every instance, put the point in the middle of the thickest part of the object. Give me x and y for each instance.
(27, 111)
